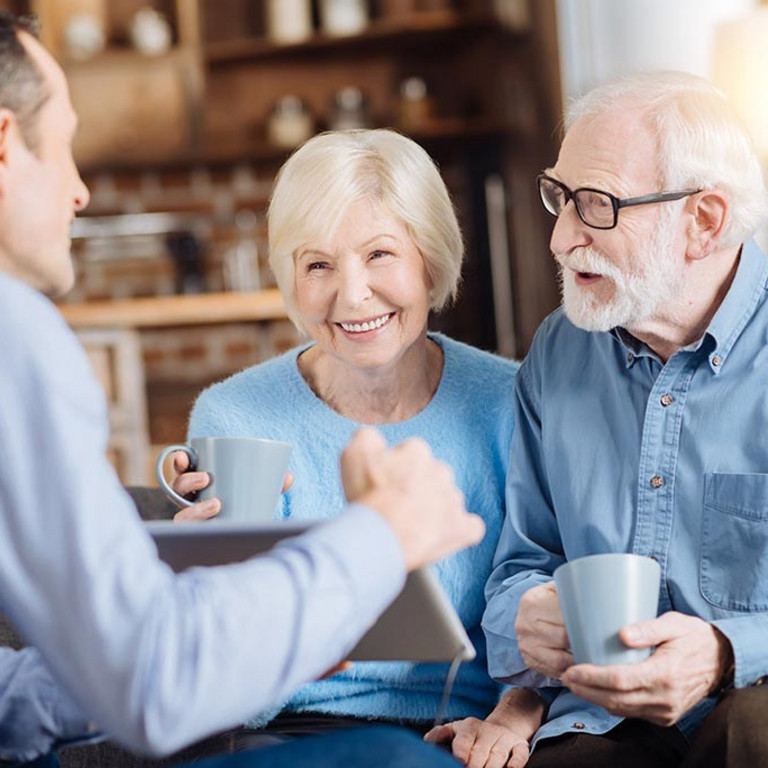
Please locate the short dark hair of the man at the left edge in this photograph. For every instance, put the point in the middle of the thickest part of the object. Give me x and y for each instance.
(22, 87)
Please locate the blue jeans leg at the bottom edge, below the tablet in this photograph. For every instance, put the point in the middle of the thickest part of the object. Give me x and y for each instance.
(375, 747)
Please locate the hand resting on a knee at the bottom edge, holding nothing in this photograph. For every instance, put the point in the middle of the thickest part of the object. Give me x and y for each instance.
(480, 744)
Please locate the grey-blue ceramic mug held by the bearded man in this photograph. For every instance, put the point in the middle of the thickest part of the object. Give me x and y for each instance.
(600, 594)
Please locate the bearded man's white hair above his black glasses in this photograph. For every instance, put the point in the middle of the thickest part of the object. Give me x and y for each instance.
(701, 142)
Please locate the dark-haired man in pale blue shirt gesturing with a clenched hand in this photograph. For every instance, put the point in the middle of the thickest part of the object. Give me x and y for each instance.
(158, 659)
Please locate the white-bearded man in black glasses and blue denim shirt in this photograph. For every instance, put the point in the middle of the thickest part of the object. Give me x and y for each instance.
(642, 415)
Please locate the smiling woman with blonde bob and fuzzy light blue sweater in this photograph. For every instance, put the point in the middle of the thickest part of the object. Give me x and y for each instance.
(364, 242)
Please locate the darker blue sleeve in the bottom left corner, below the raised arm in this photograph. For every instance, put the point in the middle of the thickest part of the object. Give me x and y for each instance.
(35, 713)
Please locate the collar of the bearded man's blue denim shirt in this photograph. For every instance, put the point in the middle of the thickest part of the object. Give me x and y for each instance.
(732, 315)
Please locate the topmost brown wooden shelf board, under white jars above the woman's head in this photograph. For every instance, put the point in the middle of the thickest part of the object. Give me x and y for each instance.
(410, 29)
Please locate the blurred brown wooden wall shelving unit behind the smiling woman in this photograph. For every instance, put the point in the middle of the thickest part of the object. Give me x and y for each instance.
(207, 102)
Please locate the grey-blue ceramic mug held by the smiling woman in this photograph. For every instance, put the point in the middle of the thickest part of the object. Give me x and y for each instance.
(247, 474)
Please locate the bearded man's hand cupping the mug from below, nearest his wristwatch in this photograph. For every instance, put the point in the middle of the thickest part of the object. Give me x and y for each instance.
(690, 659)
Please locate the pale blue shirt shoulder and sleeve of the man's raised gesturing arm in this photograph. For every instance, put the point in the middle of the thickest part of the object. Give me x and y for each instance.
(158, 660)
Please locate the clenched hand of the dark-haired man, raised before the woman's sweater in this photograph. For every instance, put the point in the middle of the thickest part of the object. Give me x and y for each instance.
(413, 492)
